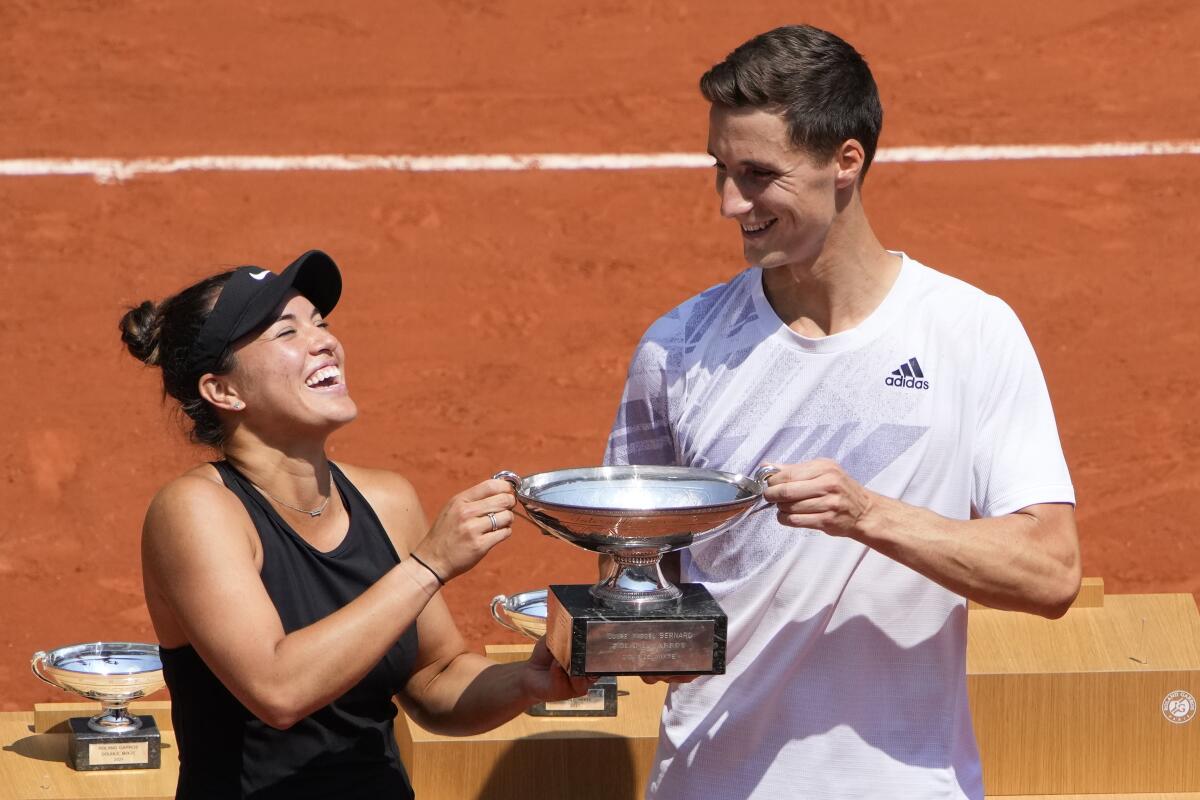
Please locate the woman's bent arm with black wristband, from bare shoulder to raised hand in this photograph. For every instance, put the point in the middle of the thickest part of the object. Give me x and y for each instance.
(200, 561)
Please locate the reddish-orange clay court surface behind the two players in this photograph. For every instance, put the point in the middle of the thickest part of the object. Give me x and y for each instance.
(489, 318)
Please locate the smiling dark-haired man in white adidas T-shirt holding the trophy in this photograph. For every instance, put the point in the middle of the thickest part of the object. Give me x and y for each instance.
(920, 459)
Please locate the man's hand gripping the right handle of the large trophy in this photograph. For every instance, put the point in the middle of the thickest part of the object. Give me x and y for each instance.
(820, 495)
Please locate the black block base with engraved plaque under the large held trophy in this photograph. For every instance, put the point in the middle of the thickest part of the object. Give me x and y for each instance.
(590, 639)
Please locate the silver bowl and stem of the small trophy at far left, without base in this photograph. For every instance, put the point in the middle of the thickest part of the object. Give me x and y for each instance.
(116, 673)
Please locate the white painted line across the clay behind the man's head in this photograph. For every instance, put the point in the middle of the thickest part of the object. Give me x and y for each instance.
(107, 171)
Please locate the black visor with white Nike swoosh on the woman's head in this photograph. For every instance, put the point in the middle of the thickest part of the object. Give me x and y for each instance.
(251, 296)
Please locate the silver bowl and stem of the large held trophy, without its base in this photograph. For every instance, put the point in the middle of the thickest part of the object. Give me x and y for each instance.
(635, 515)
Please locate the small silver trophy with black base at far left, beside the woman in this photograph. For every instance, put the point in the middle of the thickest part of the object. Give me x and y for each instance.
(116, 673)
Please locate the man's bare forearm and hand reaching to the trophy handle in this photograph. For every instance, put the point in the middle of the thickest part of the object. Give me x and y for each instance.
(1028, 561)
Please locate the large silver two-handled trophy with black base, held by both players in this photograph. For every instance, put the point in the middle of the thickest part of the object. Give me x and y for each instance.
(634, 622)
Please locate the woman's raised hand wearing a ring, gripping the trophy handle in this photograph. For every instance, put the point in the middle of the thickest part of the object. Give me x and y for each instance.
(471, 525)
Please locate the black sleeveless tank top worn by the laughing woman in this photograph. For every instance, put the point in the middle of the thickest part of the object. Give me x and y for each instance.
(344, 750)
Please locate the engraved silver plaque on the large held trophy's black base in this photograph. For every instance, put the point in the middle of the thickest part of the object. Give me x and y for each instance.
(653, 646)
